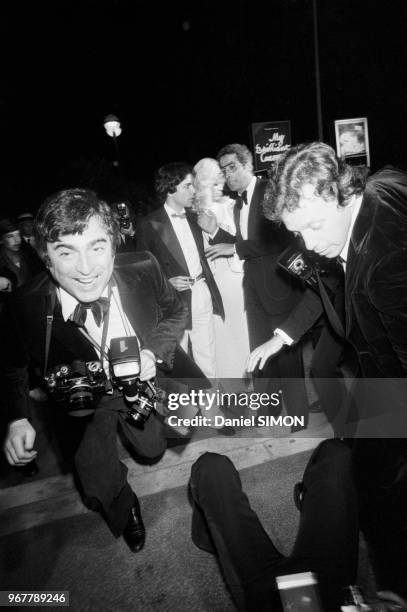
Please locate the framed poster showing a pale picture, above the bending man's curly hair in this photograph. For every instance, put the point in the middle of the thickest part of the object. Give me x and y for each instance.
(352, 140)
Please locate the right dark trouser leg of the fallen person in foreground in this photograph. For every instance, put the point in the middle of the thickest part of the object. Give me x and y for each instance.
(327, 540)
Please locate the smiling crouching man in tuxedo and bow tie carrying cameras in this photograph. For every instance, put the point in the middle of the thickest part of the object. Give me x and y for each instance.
(88, 298)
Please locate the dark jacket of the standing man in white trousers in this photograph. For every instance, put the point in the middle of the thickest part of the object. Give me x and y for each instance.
(157, 235)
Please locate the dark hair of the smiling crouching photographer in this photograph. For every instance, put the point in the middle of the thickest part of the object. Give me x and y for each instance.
(69, 212)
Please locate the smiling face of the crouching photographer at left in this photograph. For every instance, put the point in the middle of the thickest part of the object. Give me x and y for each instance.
(82, 264)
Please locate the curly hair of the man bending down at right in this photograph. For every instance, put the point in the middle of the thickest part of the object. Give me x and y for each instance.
(316, 164)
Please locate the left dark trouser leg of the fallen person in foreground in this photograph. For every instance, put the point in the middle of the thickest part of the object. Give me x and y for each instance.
(244, 549)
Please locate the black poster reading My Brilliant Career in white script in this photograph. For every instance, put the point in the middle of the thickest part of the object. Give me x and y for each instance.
(270, 140)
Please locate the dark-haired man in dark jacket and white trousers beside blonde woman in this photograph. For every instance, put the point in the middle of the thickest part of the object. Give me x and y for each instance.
(172, 234)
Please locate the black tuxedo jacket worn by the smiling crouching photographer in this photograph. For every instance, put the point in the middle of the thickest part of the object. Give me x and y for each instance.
(153, 307)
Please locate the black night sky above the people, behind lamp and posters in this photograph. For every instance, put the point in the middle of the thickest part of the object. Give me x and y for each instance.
(186, 78)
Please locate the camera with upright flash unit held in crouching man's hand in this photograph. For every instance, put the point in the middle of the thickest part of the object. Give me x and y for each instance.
(140, 396)
